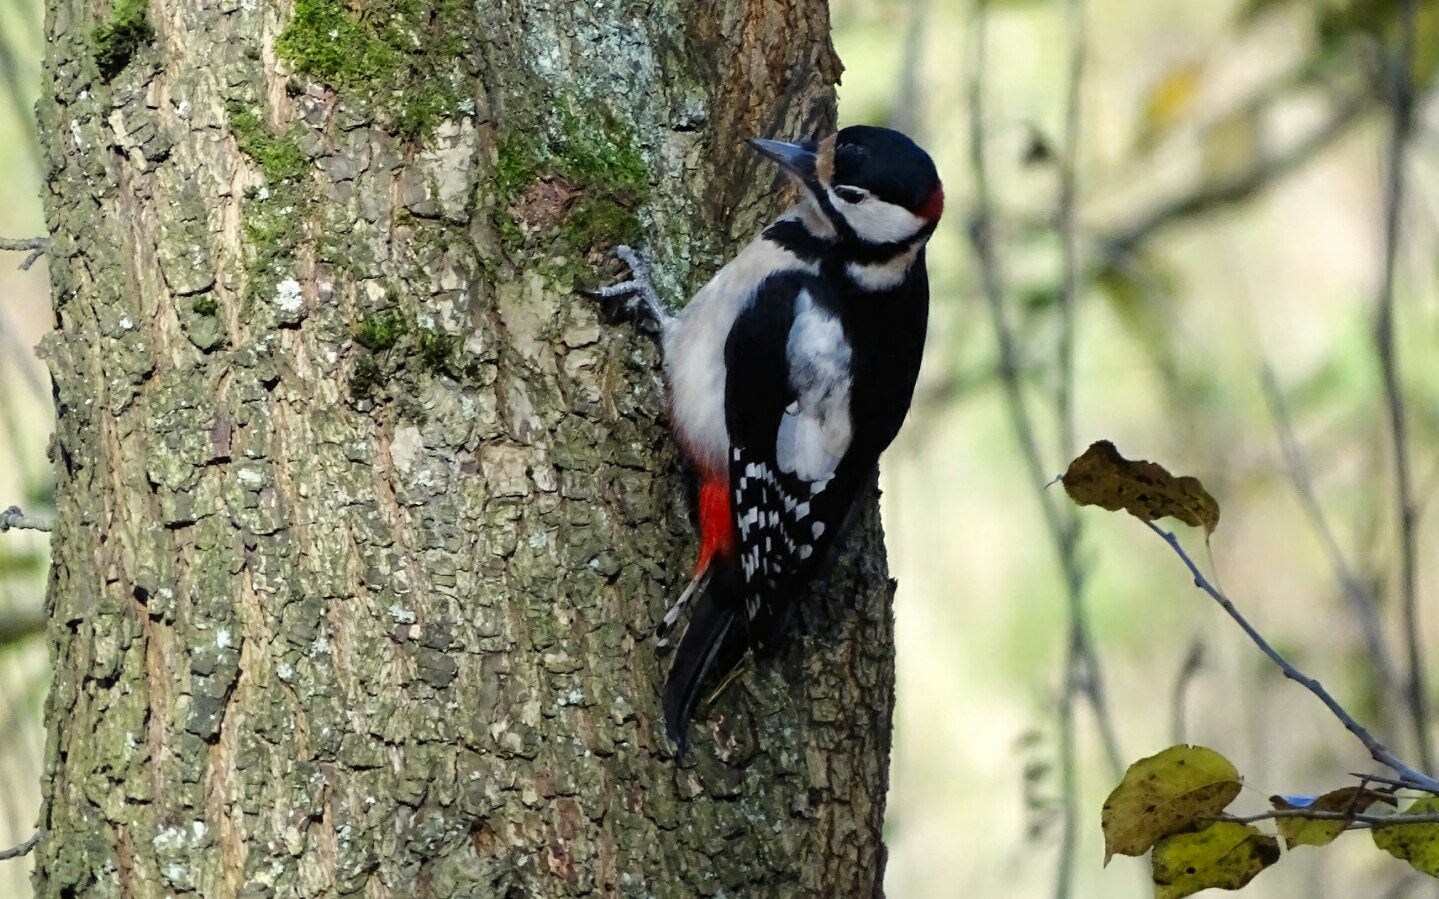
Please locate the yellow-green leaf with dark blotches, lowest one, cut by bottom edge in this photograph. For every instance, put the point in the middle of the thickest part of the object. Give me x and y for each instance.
(1227, 855)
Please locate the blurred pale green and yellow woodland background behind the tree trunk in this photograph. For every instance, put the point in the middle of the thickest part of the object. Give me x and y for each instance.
(1228, 169)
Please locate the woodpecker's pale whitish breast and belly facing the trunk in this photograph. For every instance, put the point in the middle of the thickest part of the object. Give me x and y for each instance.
(694, 350)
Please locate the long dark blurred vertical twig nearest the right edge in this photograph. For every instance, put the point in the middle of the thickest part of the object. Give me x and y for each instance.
(1402, 103)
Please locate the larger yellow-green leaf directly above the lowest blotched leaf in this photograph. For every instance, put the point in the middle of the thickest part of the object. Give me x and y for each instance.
(1166, 795)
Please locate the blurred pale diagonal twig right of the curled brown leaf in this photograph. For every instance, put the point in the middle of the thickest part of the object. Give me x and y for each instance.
(1359, 596)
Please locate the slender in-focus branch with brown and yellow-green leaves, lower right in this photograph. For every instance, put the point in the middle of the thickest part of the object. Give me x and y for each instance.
(1175, 805)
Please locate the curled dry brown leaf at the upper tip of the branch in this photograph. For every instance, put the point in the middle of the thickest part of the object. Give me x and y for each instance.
(1103, 478)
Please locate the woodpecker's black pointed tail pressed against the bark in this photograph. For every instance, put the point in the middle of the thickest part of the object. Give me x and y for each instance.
(713, 644)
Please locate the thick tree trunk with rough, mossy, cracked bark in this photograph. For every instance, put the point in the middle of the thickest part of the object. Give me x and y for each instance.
(365, 513)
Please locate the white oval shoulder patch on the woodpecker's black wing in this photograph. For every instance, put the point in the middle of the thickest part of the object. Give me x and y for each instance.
(815, 431)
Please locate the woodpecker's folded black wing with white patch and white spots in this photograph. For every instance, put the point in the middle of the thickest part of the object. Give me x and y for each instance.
(792, 475)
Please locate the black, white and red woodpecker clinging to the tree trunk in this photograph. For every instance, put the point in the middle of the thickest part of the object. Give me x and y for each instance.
(788, 375)
